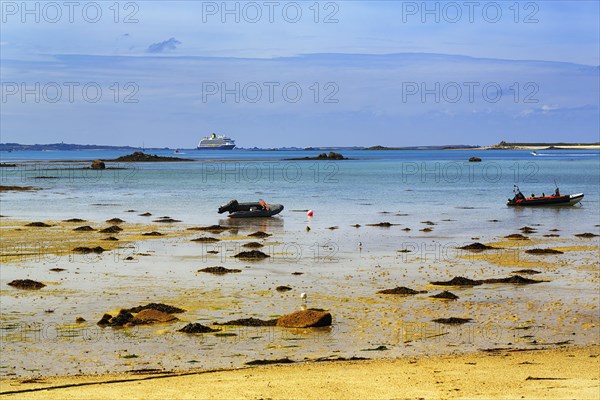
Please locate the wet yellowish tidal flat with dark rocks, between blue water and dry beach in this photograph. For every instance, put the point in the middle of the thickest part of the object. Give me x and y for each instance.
(41, 338)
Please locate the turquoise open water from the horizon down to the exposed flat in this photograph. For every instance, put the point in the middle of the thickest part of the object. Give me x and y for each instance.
(421, 183)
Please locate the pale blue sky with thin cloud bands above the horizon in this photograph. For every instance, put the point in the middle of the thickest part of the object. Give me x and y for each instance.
(304, 73)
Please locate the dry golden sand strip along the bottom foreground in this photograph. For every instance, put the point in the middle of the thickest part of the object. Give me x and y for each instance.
(565, 373)
